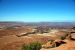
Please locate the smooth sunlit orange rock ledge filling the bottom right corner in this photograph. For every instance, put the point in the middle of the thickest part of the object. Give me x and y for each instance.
(69, 45)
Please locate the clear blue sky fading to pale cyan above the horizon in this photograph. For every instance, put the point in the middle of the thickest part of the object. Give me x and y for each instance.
(37, 10)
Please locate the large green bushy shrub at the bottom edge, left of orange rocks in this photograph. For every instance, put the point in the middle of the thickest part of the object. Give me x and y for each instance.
(32, 46)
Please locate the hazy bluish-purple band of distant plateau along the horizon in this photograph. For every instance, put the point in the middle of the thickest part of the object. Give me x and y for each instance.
(50, 24)
